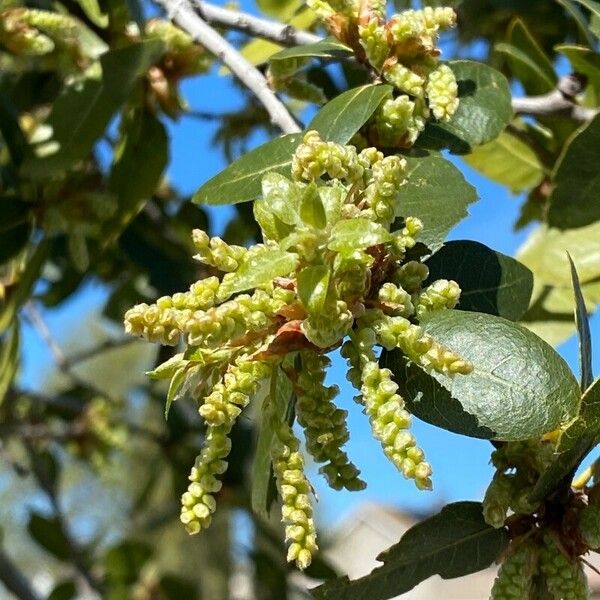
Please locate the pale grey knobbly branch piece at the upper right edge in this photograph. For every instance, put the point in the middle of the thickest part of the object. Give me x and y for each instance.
(560, 101)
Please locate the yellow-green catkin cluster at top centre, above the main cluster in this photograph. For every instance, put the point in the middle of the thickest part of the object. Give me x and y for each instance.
(403, 52)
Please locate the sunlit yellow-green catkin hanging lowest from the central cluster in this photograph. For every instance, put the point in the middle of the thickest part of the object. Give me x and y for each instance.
(294, 490)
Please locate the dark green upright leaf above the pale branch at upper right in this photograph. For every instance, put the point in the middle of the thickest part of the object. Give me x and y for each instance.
(528, 62)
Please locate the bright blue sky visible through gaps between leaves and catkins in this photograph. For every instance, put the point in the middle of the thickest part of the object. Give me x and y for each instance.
(461, 469)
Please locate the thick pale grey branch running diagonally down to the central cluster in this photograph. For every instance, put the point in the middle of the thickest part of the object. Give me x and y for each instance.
(201, 32)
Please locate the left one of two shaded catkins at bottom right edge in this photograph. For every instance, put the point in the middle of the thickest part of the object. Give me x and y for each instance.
(515, 577)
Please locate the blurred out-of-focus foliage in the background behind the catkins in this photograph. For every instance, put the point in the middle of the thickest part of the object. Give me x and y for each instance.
(91, 473)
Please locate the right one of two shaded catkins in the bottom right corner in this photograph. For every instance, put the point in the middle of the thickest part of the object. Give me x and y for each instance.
(565, 578)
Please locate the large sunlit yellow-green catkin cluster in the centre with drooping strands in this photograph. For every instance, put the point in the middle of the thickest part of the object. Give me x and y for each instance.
(330, 274)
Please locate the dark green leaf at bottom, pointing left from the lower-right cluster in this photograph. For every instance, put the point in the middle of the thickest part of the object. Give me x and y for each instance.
(455, 542)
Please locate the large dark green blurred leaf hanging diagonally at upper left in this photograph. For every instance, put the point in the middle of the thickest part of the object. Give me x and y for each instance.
(81, 113)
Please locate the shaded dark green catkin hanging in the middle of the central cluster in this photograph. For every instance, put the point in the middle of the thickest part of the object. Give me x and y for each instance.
(324, 424)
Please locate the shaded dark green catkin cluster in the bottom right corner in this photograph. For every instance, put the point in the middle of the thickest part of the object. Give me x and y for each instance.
(546, 556)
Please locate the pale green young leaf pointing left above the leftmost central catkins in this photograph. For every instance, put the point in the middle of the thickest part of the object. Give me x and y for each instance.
(259, 267)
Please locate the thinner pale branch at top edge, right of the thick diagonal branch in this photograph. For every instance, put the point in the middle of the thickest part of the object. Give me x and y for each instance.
(280, 33)
